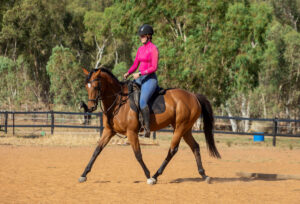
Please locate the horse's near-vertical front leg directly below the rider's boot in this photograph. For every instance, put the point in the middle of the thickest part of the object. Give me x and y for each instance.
(134, 141)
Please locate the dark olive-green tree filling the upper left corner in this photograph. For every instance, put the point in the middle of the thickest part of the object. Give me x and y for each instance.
(31, 28)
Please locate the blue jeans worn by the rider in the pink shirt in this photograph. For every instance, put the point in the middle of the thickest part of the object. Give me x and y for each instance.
(148, 86)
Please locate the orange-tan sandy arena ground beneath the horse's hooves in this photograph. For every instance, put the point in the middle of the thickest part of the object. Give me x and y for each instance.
(37, 174)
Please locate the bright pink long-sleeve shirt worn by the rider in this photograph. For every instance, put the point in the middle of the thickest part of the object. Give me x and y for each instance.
(147, 58)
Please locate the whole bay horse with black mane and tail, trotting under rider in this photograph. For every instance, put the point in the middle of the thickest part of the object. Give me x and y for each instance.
(182, 110)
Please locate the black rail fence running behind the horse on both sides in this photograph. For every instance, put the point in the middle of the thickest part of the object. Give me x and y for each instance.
(275, 127)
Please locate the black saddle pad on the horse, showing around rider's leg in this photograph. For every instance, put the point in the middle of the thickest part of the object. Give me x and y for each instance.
(156, 103)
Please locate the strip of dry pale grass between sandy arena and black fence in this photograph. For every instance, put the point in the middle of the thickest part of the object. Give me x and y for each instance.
(84, 137)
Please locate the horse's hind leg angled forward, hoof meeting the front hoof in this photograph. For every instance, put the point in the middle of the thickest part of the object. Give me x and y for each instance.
(172, 151)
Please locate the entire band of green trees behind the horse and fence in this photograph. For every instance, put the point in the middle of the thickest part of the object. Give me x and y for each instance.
(229, 50)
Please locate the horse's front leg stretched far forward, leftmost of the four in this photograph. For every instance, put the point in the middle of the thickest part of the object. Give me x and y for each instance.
(107, 135)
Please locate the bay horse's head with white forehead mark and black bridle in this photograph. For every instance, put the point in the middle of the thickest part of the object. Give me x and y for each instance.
(93, 87)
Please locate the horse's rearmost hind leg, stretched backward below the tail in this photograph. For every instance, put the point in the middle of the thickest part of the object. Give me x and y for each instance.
(189, 139)
